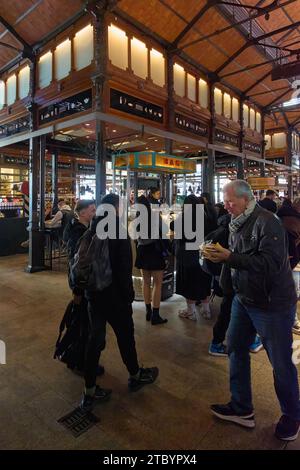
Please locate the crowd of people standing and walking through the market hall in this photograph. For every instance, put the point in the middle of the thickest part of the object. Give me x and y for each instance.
(247, 260)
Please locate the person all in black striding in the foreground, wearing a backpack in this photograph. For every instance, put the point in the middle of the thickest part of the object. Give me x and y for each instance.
(113, 305)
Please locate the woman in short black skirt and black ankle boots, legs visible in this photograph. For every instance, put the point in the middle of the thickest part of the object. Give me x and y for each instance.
(150, 260)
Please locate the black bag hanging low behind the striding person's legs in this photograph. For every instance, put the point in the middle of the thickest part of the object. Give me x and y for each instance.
(72, 338)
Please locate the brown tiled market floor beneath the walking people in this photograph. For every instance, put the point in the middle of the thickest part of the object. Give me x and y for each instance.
(36, 390)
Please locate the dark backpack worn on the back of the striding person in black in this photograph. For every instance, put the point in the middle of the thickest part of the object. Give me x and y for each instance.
(90, 268)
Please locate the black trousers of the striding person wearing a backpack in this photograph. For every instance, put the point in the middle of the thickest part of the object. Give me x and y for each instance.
(102, 309)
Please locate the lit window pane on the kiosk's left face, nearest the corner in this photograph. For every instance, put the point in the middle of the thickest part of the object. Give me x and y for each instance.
(83, 47)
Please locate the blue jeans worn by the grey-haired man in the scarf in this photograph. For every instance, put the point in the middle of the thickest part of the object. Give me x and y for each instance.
(275, 331)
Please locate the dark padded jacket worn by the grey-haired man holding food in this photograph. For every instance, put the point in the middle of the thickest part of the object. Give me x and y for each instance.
(260, 270)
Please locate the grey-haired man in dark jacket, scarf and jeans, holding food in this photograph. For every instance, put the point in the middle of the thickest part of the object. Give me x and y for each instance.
(257, 266)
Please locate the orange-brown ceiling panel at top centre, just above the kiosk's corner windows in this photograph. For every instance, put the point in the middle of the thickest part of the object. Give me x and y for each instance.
(155, 16)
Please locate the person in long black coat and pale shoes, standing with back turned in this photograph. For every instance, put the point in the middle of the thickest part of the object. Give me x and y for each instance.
(191, 281)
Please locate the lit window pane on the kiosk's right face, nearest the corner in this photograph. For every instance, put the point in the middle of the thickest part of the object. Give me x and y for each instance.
(117, 47)
